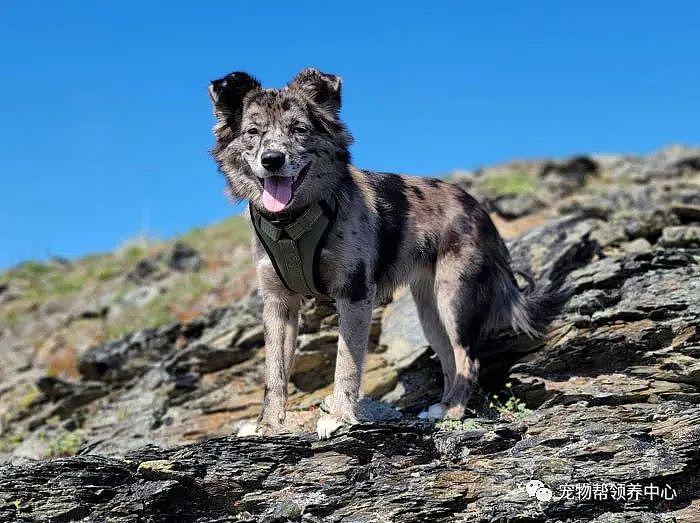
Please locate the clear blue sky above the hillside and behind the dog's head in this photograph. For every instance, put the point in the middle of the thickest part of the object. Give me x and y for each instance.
(105, 122)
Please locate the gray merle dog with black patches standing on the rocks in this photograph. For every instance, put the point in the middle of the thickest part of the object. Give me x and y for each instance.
(286, 151)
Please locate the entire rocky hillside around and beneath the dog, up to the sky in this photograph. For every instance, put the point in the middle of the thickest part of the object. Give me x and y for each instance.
(605, 412)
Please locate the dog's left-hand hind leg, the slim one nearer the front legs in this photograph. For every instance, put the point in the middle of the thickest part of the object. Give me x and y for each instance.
(423, 291)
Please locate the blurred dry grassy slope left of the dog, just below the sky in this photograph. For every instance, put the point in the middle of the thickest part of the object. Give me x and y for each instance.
(44, 289)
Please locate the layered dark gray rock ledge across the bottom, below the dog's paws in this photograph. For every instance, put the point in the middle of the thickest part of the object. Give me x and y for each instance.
(382, 472)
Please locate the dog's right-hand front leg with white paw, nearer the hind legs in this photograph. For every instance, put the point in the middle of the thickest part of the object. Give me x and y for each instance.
(355, 317)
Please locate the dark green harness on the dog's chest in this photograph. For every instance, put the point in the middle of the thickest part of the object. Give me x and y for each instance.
(294, 245)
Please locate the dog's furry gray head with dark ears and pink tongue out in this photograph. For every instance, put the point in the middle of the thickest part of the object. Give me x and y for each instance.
(280, 148)
